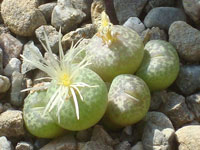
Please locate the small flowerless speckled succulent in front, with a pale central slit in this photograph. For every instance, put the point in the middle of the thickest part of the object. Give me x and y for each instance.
(128, 101)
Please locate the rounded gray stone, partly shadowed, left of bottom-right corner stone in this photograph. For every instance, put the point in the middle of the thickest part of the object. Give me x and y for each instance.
(158, 132)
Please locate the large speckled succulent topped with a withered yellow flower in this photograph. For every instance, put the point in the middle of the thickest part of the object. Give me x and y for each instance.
(114, 50)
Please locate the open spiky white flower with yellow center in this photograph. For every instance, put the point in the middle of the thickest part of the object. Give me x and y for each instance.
(61, 71)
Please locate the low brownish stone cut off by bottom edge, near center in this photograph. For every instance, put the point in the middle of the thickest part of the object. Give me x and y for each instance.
(95, 145)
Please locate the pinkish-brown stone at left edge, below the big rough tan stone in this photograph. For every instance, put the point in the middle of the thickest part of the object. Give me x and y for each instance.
(11, 47)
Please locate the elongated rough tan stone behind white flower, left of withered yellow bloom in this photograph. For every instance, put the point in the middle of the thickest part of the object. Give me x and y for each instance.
(85, 32)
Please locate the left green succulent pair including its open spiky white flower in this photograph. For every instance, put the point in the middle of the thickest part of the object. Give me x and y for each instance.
(75, 99)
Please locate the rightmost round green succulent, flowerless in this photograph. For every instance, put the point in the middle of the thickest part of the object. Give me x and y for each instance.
(160, 65)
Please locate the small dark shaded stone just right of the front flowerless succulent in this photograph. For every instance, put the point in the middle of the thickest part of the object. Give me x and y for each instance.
(157, 99)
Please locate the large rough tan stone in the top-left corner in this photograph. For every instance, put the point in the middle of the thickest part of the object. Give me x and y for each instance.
(22, 17)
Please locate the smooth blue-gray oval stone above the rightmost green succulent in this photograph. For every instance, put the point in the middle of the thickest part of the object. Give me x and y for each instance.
(163, 17)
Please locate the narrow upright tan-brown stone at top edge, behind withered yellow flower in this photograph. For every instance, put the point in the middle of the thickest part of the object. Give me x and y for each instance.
(97, 7)
